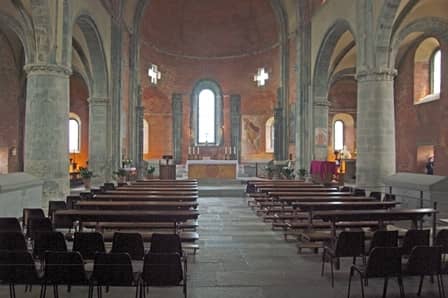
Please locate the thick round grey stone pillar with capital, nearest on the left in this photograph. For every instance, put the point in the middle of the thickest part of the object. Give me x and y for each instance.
(46, 128)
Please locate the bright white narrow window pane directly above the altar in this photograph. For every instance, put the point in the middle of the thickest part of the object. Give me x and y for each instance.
(206, 119)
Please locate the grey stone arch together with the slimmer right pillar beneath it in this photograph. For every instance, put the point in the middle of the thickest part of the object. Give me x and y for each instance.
(321, 81)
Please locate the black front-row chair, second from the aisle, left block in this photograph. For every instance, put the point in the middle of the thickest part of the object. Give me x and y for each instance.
(113, 269)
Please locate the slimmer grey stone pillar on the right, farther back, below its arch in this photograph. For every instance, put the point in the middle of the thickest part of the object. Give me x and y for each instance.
(320, 113)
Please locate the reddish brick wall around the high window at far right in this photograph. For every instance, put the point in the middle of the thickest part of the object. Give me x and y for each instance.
(420, 125)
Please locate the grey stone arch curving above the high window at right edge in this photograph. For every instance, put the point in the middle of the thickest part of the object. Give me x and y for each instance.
(433, 26)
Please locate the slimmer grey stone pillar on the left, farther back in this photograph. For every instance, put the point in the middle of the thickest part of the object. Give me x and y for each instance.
(98, 132)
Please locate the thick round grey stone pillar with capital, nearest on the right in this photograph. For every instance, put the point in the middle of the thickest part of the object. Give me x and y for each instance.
(375, 128)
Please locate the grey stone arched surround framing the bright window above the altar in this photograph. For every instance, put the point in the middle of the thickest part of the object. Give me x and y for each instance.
(219, 109)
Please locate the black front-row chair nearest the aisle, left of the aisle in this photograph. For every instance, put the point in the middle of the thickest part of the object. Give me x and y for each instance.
(163, 270)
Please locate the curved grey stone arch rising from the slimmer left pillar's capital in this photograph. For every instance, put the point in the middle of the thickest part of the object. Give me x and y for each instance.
(99, 72)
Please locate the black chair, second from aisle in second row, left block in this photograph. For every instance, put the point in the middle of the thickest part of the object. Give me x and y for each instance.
(131, 243)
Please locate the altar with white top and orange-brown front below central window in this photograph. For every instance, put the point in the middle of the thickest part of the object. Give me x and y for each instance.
(212, 169)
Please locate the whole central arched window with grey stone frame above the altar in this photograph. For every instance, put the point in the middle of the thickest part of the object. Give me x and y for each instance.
(206, 114)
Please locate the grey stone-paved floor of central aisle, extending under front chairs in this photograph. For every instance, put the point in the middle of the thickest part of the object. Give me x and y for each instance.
(241, 256)
